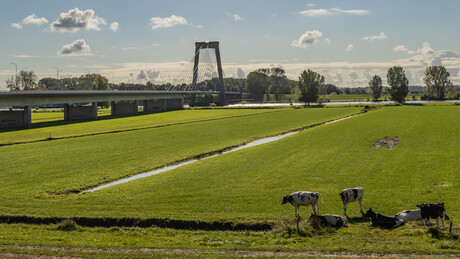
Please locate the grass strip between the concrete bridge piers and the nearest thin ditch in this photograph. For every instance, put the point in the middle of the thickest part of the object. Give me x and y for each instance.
(47, 125)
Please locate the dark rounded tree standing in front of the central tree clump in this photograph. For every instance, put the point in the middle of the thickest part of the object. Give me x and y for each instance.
(309, 85)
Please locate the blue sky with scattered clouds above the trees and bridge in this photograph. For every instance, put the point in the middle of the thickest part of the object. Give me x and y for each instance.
(139, 41)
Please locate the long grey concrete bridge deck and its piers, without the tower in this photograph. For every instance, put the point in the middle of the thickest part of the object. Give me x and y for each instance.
(122, 103)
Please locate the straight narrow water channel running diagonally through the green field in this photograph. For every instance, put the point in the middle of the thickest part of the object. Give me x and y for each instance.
(248, 145)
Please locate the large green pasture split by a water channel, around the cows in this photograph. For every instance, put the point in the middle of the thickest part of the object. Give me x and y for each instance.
(243, 186)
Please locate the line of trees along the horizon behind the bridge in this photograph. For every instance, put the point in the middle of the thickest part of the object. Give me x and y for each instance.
(259, 83)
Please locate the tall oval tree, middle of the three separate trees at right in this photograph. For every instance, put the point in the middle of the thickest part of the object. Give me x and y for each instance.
(399, 85)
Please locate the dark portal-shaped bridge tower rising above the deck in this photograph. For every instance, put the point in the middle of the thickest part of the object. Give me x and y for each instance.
(209, 45)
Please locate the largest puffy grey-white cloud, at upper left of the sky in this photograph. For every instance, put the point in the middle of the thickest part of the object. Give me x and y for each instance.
(74, 20)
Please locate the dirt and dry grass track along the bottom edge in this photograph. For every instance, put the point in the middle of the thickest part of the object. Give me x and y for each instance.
(29, 251)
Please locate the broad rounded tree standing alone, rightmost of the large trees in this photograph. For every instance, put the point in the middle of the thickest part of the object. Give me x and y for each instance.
(437, 82)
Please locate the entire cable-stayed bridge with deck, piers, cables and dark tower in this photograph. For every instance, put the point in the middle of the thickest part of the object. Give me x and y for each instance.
(123, 103)
